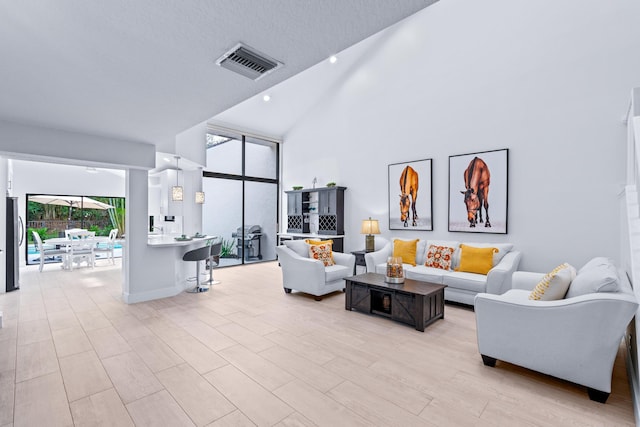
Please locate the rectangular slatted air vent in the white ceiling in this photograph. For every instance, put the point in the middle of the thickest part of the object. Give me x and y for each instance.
(248, 62)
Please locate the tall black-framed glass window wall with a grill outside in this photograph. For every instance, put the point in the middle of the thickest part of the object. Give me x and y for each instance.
(241, 181)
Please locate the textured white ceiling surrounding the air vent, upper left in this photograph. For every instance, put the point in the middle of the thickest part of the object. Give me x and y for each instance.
(144, 70)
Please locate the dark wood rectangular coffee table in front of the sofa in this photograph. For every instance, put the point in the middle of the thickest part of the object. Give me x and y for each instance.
(413, 302)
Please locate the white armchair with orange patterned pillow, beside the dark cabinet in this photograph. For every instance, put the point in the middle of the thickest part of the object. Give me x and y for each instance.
(307, 275)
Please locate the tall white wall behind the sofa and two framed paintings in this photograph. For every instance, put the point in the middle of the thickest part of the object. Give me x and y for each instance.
(548, 80)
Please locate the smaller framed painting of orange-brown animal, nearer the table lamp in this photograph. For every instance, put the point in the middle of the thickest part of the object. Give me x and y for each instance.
(410, 195)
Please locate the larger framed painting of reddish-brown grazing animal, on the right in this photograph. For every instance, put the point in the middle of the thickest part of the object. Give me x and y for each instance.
(478, 184)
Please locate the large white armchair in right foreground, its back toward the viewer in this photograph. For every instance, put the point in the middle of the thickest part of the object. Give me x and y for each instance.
(575, 338)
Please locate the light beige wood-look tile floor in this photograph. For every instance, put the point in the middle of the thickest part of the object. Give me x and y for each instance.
(71, 353)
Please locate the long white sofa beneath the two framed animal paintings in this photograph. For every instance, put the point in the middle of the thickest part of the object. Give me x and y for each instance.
(461, 287)
